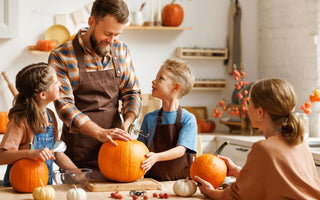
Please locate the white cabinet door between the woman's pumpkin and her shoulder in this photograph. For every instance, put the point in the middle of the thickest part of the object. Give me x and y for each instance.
(237, 153)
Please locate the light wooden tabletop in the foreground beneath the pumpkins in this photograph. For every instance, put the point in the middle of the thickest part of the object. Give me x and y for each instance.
(8, 193)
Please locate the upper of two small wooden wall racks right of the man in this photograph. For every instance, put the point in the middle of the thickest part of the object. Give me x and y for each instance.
(207, 53)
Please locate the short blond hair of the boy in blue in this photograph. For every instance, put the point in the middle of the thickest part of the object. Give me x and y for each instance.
(181, 73)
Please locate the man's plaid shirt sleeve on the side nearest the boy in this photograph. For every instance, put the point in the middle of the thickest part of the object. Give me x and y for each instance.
(130, 92)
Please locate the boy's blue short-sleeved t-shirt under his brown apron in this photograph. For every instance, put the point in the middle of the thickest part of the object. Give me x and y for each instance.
(188, 132)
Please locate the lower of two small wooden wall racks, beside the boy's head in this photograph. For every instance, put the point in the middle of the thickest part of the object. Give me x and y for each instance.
(210, 84)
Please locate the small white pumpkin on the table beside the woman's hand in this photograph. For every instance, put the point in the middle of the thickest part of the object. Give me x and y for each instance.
(184, 187)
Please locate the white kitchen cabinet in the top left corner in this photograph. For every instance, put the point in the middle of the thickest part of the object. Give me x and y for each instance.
(9, 18)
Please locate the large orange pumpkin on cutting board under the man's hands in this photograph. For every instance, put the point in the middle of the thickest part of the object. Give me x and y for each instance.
(122, 163)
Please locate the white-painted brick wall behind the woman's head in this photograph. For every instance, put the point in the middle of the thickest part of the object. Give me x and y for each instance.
(288, 49)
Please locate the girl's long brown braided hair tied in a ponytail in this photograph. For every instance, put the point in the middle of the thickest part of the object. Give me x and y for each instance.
(30, 81)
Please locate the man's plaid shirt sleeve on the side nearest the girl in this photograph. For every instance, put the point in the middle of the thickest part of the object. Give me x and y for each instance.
(64, 62)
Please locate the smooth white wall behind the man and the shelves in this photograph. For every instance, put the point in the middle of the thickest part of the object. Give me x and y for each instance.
(149, 48)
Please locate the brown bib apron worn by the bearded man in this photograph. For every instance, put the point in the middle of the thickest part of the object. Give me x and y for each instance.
(97, 97)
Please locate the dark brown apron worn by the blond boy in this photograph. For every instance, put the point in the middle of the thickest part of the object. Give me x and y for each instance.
(165, 138)
